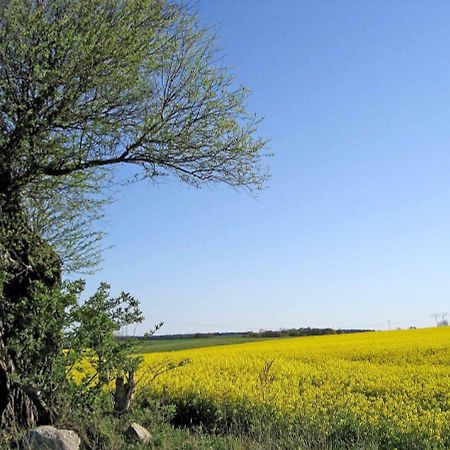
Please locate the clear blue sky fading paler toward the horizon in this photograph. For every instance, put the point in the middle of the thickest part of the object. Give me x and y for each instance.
(353, 228)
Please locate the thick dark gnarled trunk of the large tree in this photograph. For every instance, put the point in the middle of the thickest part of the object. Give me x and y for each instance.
(24, 259)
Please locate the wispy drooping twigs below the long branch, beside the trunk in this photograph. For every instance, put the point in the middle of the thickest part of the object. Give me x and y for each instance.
(66, 214)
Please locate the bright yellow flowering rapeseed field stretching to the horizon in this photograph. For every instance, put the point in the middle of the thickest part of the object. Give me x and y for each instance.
(386, 389)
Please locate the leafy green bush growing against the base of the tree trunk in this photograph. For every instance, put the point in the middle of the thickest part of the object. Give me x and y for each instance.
(90, 357)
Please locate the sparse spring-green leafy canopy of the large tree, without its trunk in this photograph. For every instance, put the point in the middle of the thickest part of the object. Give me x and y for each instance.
(86, 85)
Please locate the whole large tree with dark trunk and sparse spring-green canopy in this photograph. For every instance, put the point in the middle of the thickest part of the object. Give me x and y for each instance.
(87, 86)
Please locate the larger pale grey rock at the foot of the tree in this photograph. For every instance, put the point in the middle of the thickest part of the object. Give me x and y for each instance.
(50, 438)
